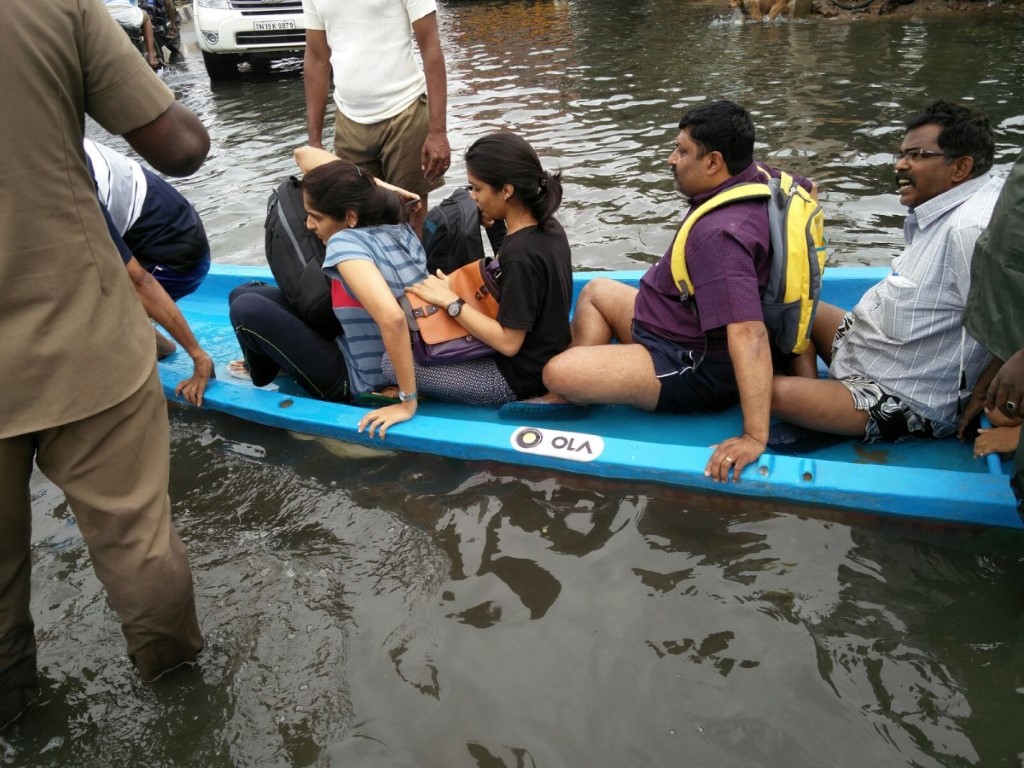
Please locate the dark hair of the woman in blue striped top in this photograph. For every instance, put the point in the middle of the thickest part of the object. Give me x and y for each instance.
(339, 187)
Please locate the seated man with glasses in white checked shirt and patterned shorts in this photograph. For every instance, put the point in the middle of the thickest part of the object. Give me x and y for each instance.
(901, 361)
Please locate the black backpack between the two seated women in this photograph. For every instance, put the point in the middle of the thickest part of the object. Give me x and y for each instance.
(452, 234)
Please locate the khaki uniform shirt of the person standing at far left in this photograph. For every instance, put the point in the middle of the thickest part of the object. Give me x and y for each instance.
(74, 337)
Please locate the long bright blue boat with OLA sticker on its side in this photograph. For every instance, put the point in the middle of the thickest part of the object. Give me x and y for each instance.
(937, 480)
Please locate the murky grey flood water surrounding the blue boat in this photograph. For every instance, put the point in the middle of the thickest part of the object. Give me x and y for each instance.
(410, 611)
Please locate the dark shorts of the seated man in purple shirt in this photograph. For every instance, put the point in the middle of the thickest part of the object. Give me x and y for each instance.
(692, 382)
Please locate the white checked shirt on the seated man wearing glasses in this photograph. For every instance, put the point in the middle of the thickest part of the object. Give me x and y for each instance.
(907, 332)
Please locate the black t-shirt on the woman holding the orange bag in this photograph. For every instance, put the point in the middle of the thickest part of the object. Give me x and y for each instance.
(537, 292)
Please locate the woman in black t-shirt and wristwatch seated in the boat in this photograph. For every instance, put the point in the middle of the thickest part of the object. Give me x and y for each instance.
(508, 184)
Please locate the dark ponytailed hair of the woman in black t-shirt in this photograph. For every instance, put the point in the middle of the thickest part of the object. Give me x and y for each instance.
(505, 158)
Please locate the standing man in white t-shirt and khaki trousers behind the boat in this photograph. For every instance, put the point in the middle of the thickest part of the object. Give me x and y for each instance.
(391, 116)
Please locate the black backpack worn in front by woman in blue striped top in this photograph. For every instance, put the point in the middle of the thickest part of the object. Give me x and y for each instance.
(296, 259)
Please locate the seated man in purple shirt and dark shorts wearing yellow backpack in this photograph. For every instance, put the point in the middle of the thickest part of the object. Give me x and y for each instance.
(670, 357)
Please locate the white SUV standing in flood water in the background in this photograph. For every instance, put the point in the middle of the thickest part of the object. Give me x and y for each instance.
(233, 31)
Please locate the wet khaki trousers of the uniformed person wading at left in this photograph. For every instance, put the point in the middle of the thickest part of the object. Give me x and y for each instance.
(114, 470)
